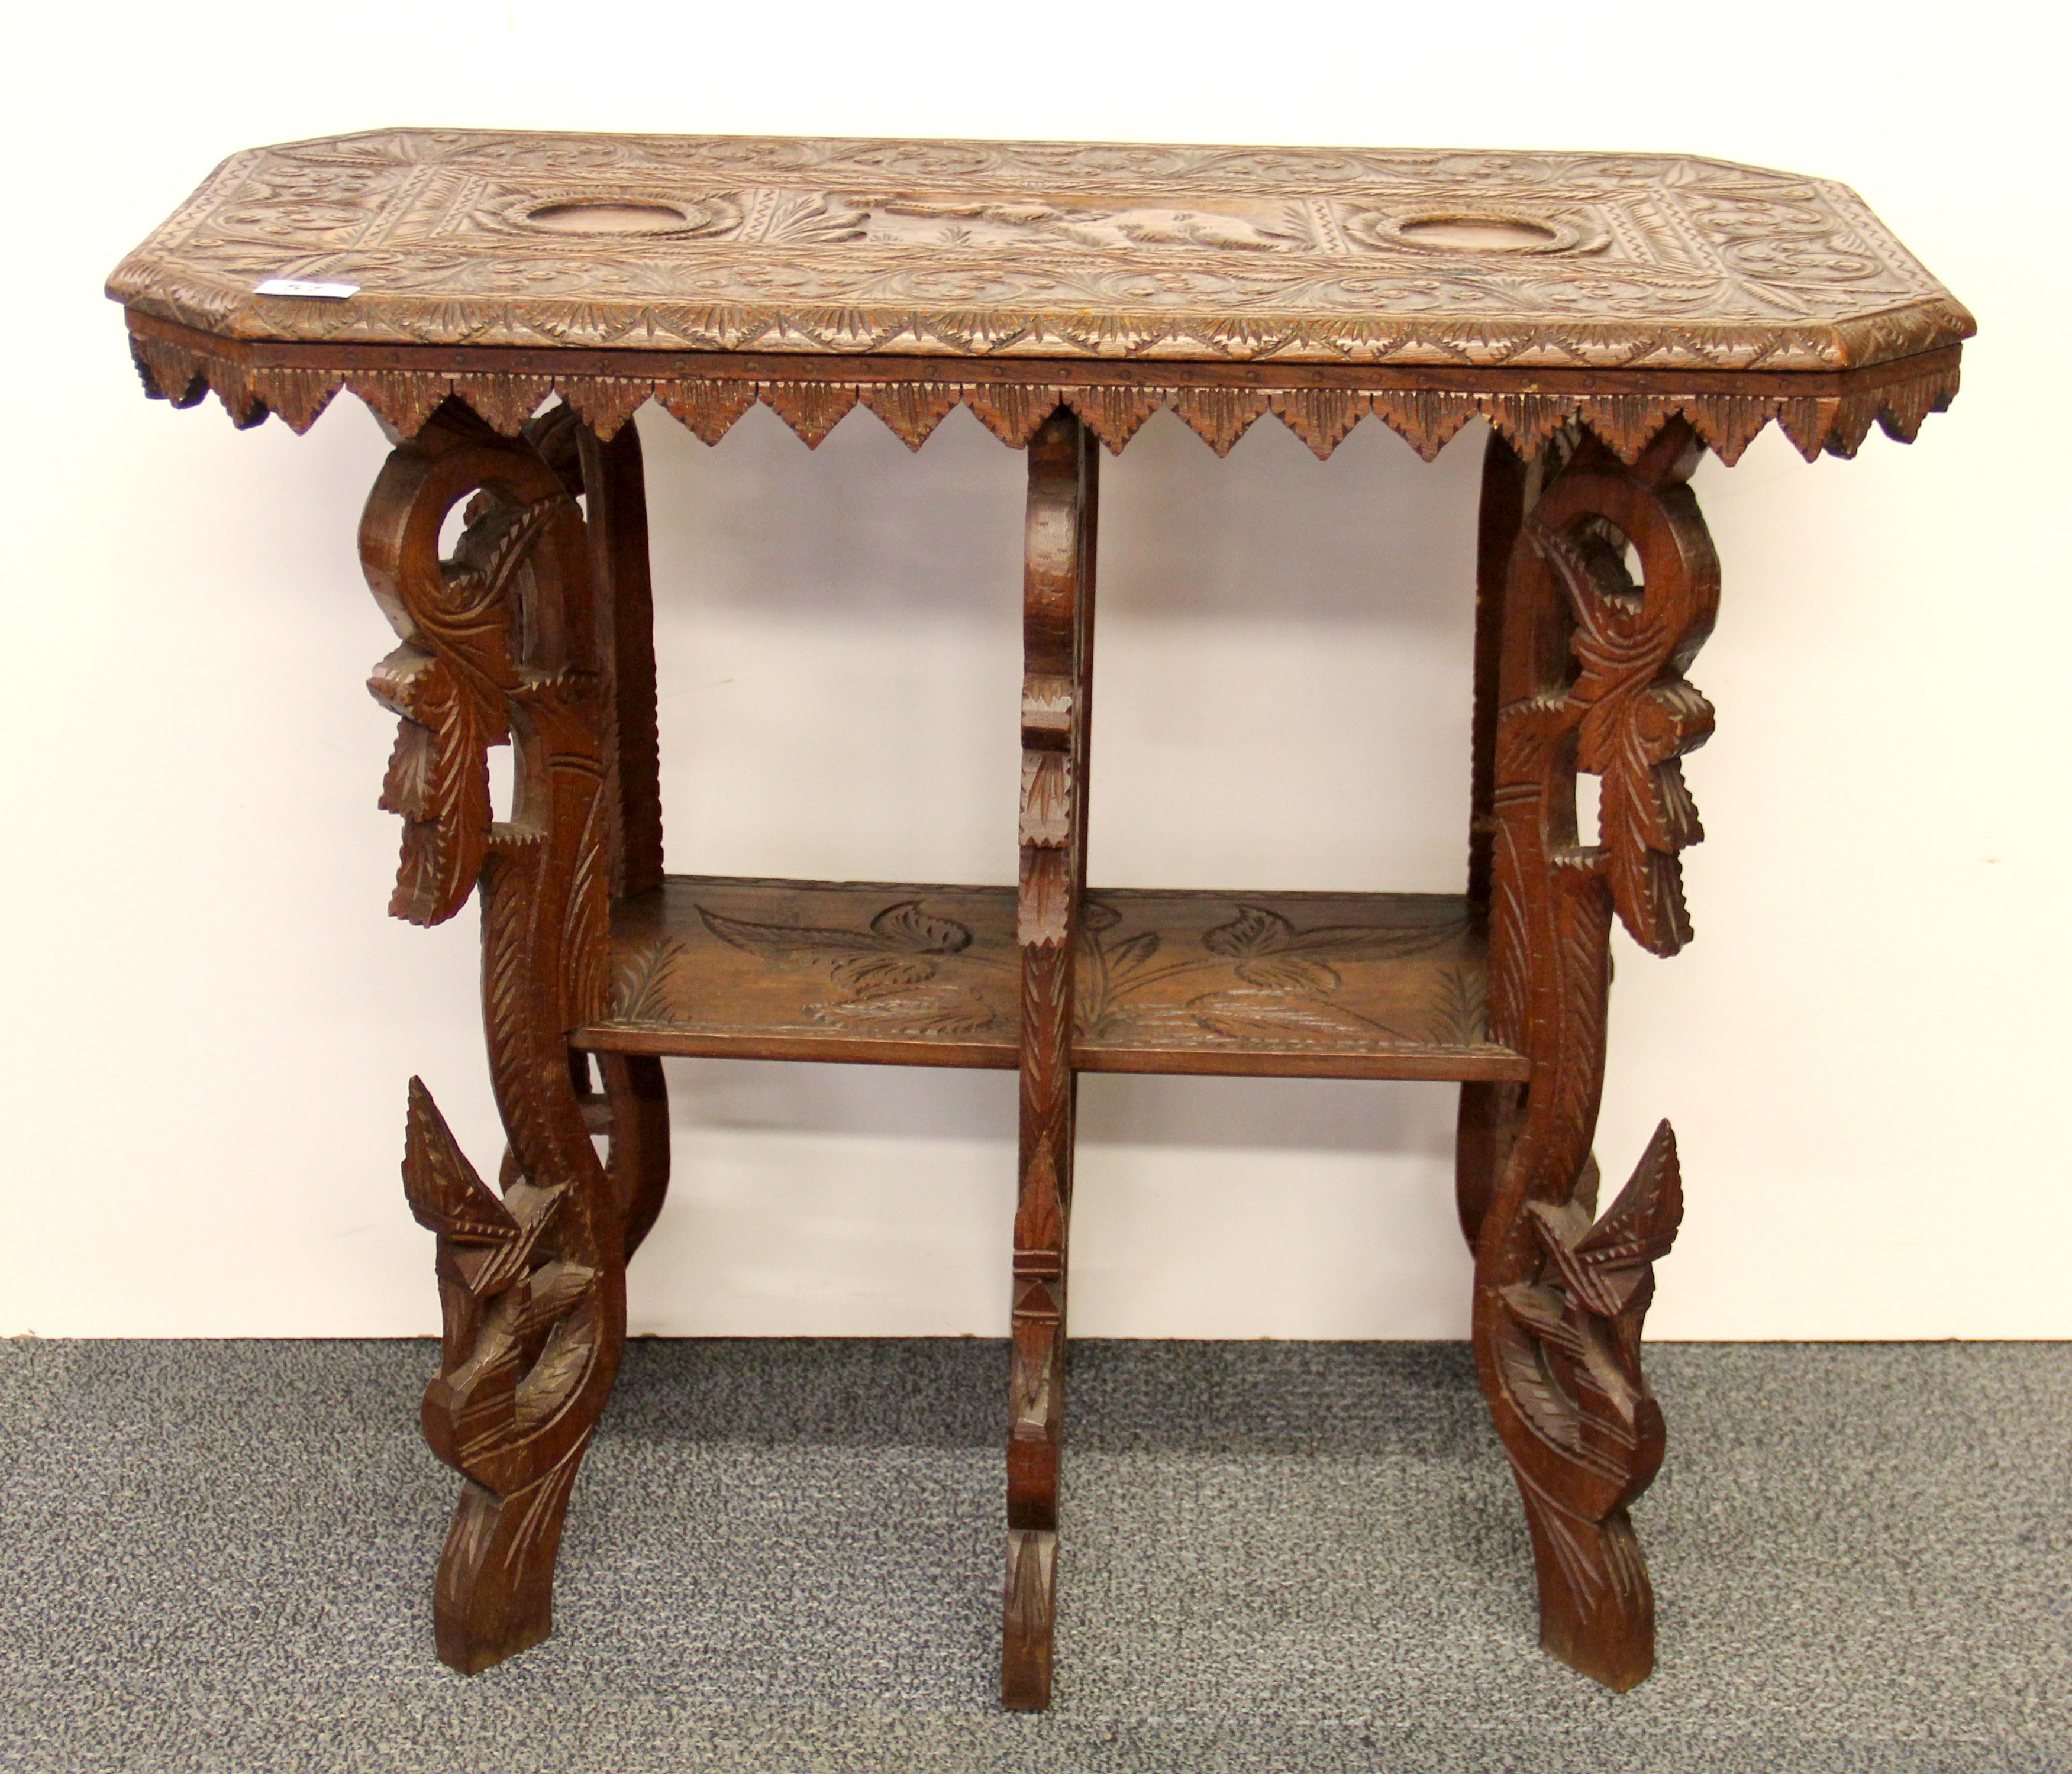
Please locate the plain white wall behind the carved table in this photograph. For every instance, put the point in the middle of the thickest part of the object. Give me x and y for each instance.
(212, 1021)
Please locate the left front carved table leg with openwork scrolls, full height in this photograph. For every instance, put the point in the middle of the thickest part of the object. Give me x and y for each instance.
(500, 643)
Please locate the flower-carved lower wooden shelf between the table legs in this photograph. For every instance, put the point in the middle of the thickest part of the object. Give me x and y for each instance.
(1296, 985)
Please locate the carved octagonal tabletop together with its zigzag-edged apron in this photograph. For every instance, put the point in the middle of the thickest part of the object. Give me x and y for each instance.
(915, 277)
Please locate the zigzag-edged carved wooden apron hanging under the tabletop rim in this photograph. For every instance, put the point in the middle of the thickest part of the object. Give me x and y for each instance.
(913, 397)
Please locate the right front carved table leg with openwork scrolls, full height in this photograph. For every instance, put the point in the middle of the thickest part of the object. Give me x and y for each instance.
(1590, 677)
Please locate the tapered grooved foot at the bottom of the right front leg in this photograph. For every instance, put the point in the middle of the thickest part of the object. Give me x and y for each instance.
(1596, 1605)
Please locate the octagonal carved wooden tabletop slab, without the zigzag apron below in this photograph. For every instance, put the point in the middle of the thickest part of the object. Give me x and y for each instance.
(973, 250)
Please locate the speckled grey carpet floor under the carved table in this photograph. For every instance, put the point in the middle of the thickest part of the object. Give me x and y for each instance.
(1277, 1557)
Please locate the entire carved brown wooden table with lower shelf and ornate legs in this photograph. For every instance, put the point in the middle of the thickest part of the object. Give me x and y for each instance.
(1611, 316)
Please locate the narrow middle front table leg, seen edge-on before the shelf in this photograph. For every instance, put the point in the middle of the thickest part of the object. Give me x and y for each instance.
(1058, 656)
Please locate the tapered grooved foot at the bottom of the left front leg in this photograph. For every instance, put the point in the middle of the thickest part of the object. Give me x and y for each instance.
(496, 1576)
